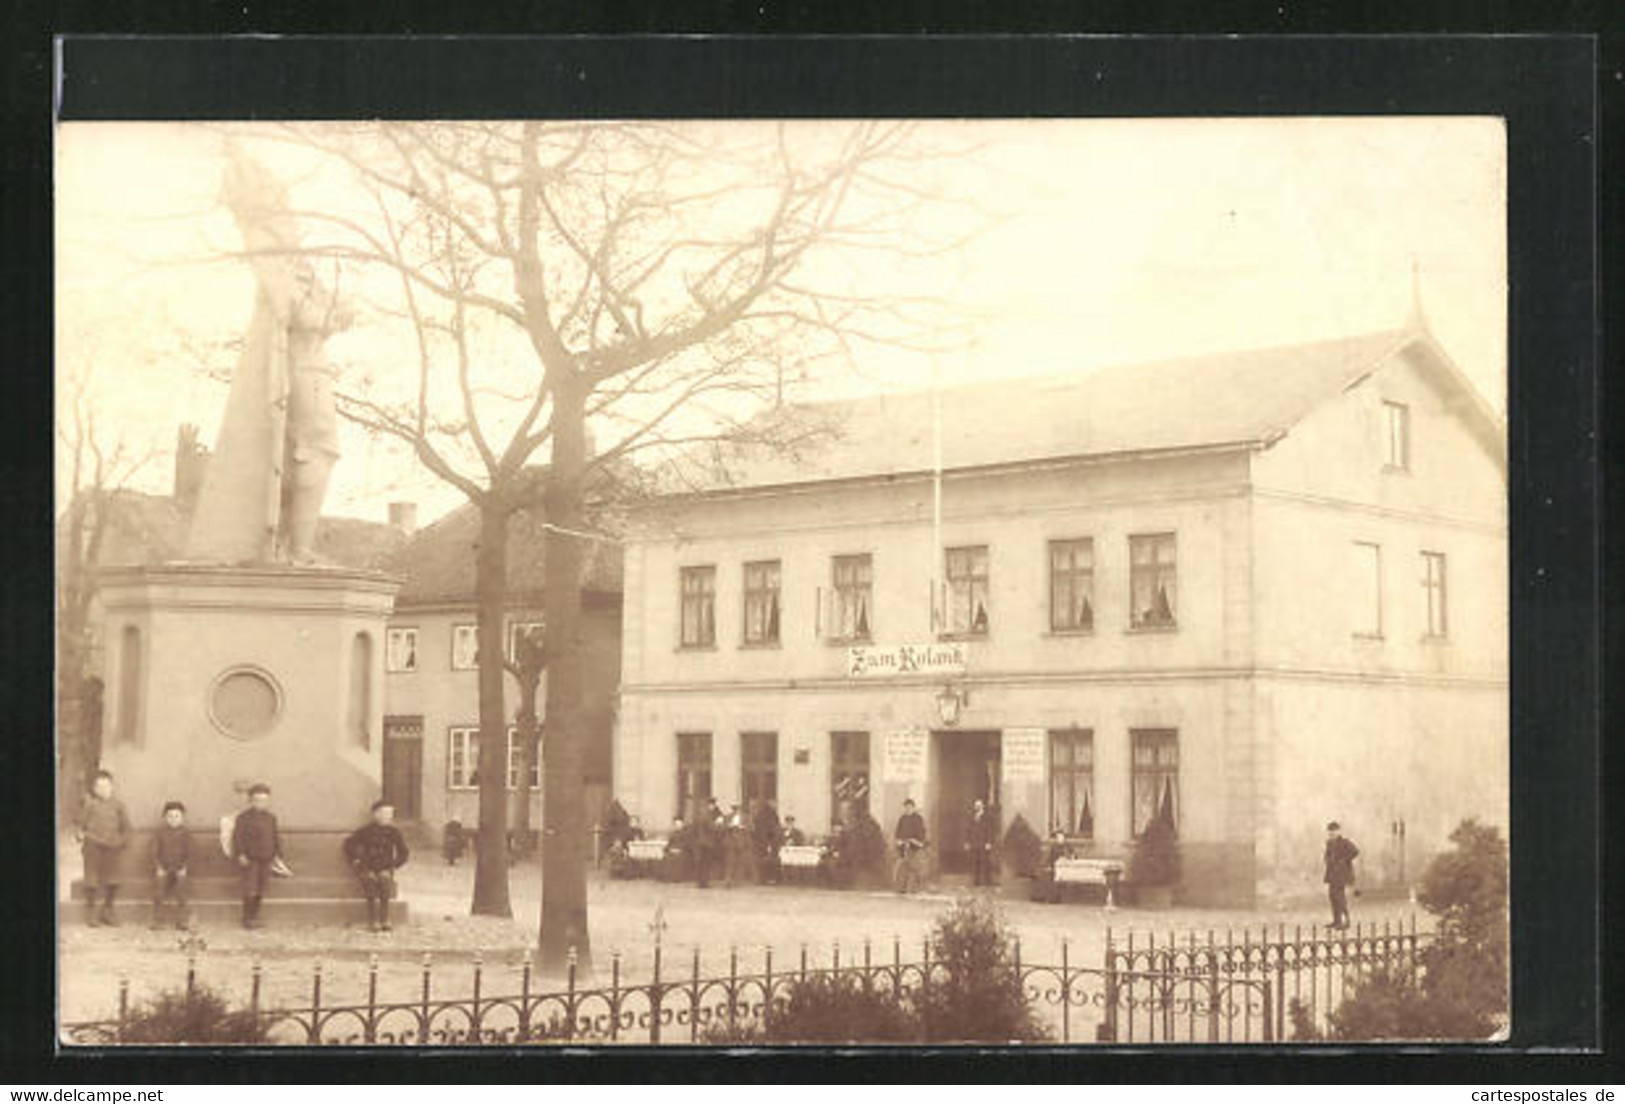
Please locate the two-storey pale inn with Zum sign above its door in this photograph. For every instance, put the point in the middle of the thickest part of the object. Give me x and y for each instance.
(1263, 591)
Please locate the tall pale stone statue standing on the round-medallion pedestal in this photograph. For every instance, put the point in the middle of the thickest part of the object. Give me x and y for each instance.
(279, 441)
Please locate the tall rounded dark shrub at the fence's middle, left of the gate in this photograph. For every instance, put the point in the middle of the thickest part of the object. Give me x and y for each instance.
(974, 993)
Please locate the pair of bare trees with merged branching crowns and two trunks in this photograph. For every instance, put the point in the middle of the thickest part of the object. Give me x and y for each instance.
(661, 284)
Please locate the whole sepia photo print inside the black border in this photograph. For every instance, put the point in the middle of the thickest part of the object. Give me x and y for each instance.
(781, 583)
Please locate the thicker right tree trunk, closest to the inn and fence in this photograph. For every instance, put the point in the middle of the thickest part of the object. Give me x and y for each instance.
(563, 802)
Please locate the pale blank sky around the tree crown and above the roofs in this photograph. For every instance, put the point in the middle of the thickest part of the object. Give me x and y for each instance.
(1112, 241)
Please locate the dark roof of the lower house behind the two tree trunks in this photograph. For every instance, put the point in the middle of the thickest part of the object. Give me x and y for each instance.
(438, 563)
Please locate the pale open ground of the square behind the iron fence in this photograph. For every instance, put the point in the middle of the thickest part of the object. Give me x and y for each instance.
(711, 923)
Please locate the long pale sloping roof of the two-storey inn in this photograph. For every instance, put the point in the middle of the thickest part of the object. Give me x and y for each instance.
(1223, 401)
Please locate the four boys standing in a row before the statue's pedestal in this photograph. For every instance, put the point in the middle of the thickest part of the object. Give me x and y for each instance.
(103, 828)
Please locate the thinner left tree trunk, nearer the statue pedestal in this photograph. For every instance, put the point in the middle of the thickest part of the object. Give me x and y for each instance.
(492, 854)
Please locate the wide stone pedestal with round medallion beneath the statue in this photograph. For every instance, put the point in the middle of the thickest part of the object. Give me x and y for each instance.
(220, 677)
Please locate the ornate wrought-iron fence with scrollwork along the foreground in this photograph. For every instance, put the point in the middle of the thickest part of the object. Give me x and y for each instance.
(1146, 991)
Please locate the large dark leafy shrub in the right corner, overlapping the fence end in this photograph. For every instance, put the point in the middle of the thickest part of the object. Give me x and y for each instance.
(1462, 993)
